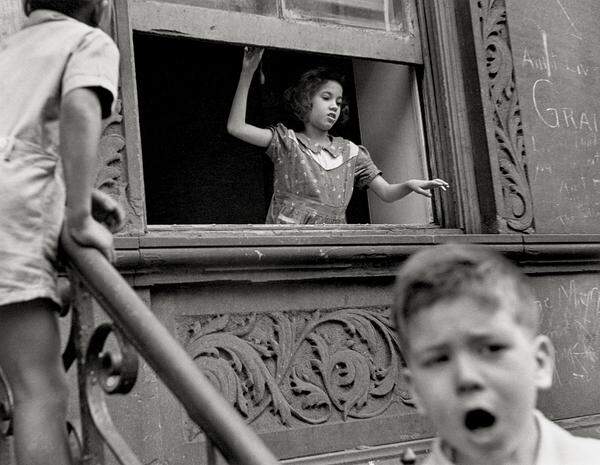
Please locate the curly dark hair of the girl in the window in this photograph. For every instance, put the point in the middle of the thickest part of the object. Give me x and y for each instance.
(298, 98)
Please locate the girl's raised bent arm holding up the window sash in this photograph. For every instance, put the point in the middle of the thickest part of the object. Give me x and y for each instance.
(236, 124)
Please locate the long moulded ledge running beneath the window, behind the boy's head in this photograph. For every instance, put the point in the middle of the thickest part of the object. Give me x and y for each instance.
(266, 253)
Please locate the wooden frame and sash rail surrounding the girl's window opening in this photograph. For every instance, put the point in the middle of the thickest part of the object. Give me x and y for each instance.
(435, 47)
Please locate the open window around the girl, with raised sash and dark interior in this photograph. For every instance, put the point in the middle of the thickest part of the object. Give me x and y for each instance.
(187, 60)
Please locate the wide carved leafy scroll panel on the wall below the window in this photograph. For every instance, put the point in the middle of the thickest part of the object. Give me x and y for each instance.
(283, 369)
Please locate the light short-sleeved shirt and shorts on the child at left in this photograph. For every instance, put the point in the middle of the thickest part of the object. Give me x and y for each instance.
(52, 55)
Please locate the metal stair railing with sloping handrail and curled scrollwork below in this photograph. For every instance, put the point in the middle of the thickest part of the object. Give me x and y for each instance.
(101, 371)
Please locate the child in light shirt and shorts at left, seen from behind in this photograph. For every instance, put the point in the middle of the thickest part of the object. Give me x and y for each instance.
(59, 78)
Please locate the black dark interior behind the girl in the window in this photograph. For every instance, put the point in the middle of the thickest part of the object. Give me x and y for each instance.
(194, 172)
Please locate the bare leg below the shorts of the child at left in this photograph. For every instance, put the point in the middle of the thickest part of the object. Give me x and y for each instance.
(30, 358)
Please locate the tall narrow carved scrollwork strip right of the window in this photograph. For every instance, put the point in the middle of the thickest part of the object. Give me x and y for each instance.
(517, 214)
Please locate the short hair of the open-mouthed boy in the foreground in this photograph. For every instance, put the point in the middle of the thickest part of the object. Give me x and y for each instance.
(447, 272)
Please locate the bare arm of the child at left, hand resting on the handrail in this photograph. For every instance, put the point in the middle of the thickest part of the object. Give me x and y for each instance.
(80, 127)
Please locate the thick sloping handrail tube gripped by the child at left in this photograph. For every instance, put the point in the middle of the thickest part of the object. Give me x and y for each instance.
(238, 443)
